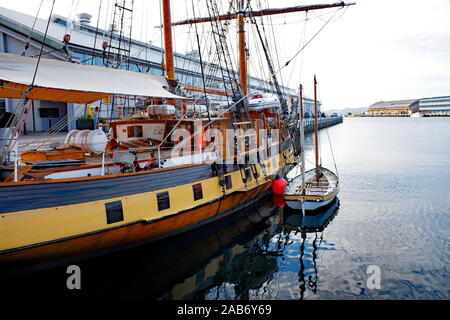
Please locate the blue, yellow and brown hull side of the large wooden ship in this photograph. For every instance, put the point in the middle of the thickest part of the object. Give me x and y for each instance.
(41, 222)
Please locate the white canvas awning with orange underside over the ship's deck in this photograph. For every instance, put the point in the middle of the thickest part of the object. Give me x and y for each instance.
(68, 81)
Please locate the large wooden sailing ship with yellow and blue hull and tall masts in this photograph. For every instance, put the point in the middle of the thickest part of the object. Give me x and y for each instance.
(151, 177)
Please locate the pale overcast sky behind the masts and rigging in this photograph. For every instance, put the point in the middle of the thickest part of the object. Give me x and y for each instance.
(375, 50)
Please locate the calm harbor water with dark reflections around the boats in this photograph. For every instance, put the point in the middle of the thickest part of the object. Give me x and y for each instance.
(393, 213)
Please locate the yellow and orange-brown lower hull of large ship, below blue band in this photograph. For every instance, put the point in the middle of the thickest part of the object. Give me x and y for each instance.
(68, 230)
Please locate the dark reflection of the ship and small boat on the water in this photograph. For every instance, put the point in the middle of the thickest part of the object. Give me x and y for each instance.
(240, 257)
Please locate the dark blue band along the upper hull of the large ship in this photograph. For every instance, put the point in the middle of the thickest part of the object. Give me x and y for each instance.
(37, 196)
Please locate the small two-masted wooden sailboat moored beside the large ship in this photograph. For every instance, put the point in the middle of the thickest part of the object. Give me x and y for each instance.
(317, 187)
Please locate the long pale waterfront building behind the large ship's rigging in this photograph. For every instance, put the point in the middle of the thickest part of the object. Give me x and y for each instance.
(86, 46)
